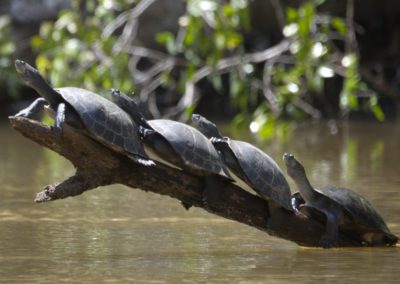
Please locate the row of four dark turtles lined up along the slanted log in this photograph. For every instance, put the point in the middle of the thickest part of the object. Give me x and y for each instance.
(203, 151)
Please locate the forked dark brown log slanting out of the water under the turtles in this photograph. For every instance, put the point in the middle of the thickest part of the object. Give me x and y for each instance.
(98, 166)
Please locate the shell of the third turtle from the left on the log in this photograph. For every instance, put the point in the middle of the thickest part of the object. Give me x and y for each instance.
(262, 173)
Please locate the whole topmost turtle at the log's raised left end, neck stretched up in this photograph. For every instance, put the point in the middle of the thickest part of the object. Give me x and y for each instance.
(96, 116)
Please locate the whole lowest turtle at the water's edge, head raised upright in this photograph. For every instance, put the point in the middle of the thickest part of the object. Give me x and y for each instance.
(343, 210)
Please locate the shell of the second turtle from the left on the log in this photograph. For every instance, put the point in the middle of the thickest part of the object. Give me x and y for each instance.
(196, 151)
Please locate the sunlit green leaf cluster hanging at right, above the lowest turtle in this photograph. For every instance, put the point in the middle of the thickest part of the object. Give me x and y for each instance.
(313, 59)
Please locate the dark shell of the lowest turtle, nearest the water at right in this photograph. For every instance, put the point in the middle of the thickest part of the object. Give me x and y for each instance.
(361, 216)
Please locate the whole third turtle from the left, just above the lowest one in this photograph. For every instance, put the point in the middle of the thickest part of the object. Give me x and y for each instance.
(248, 164)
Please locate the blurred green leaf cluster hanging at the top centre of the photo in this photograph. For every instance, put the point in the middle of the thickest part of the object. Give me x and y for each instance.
(210, 30)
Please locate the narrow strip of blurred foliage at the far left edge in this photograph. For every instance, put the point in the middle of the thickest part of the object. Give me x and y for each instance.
(8, 78)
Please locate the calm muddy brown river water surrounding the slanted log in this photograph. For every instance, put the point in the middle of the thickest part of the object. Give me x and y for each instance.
(140, 237)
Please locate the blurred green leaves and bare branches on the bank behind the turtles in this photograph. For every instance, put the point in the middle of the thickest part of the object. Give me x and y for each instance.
(311, 69)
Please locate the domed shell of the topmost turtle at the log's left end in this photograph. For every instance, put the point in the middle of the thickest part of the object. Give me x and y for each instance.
(104, 120)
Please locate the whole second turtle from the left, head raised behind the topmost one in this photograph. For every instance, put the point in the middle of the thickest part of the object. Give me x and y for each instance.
(176, 144)
